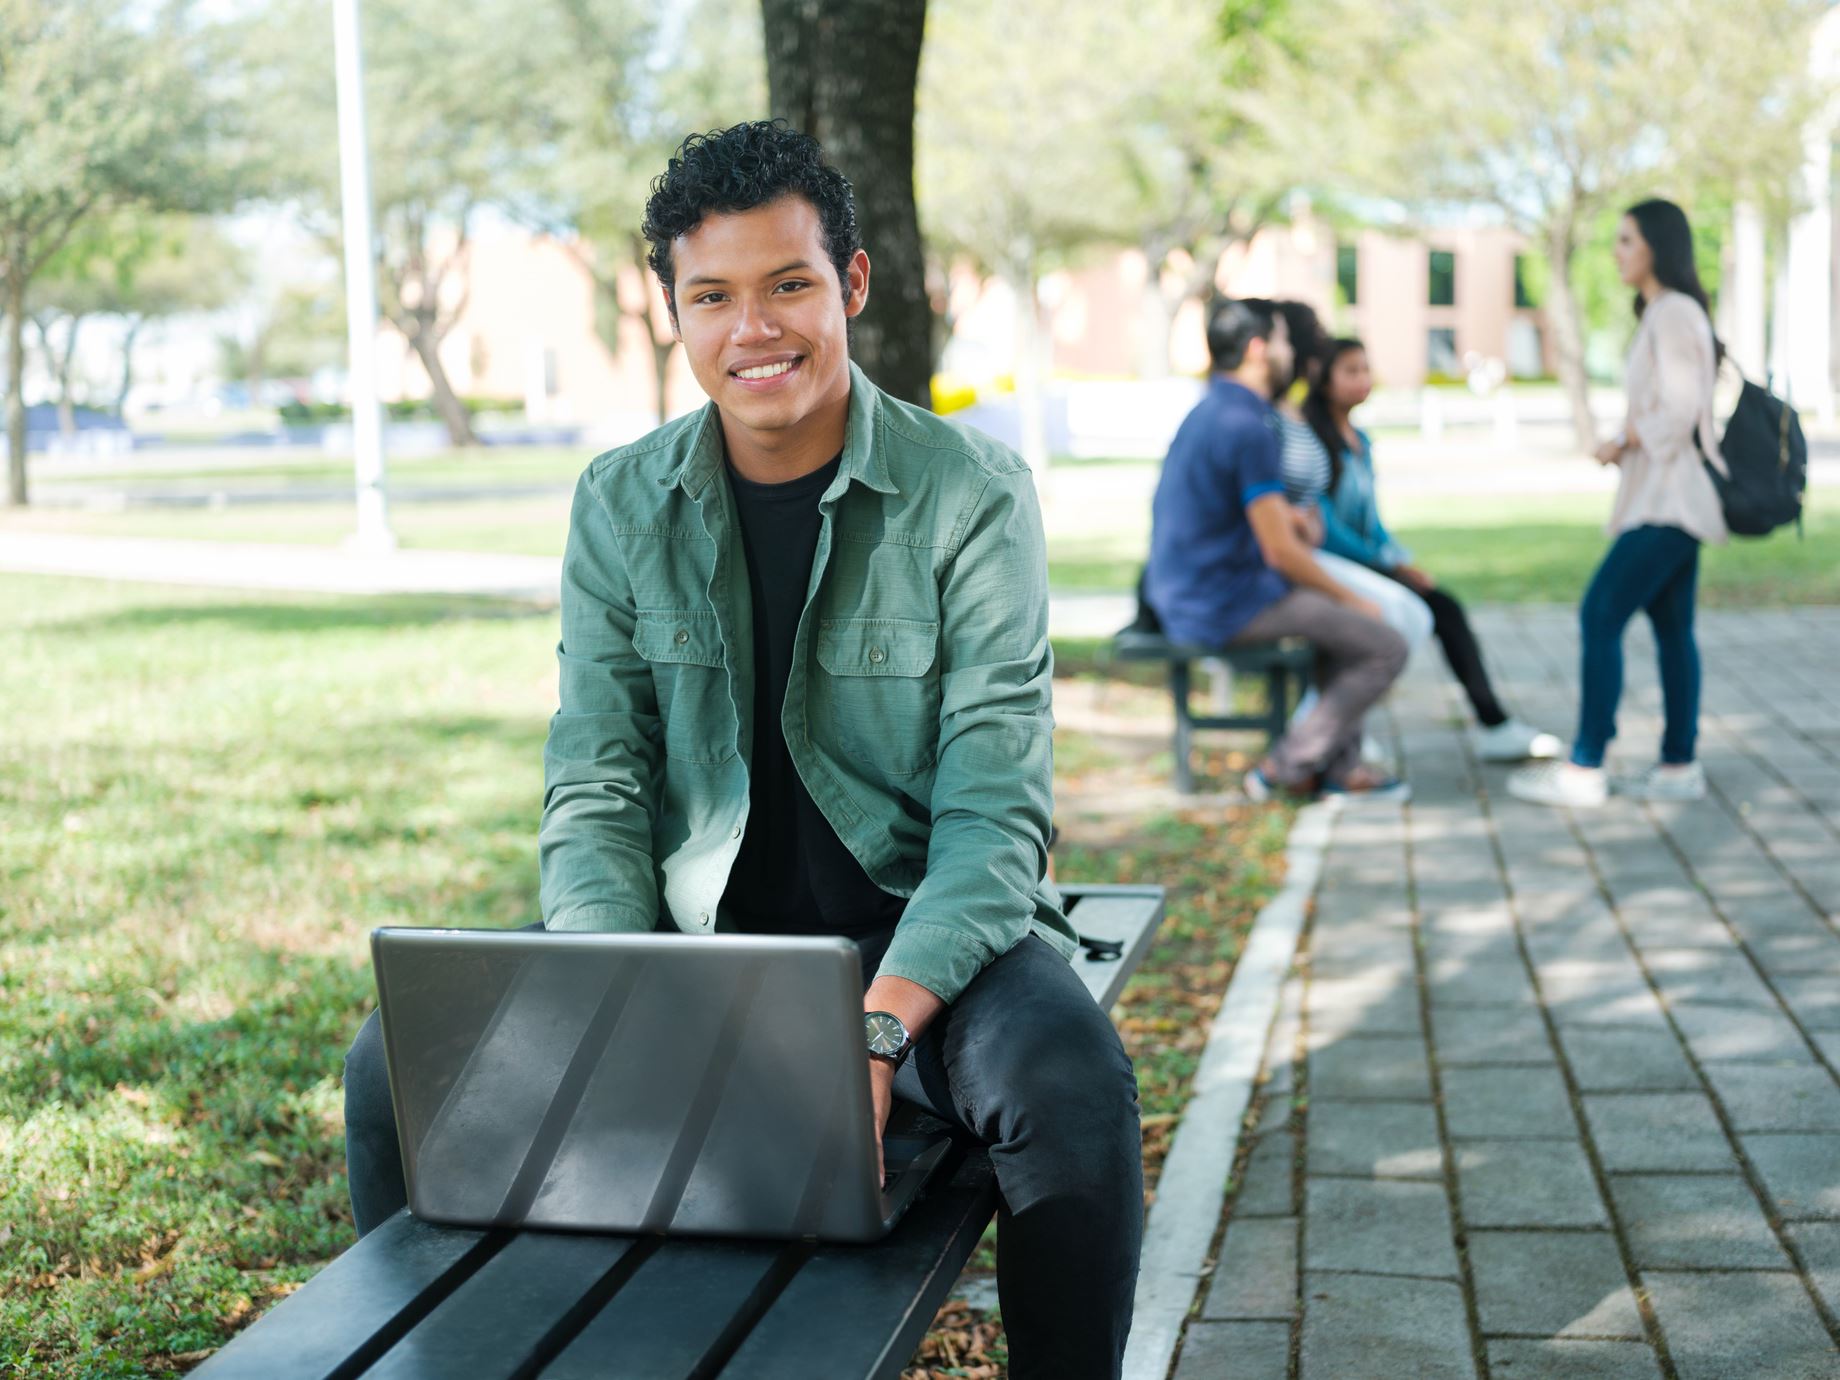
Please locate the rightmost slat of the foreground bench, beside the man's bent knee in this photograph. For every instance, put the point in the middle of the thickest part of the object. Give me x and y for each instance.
(862, 1311)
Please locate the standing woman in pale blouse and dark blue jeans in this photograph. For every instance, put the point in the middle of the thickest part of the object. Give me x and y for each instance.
(1666, 509)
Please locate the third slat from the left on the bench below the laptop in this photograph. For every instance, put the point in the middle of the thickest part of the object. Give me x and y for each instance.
(676, 1313)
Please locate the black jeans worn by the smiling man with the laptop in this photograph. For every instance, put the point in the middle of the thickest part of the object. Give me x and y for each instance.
(1026, 1063)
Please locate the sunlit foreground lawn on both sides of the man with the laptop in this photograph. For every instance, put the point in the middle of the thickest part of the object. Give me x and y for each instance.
(207, 799)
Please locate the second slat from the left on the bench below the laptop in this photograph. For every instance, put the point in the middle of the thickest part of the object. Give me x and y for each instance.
(542, 1283)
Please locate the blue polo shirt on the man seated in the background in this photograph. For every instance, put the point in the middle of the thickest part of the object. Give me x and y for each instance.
(1208, 577)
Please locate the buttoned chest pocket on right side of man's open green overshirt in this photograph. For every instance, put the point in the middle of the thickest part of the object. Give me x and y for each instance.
(882, 691)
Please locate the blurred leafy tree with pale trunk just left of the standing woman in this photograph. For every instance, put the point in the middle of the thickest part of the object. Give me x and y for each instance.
(1563, 111)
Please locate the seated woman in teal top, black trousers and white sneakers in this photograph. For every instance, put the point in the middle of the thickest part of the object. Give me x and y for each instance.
(1353, 531)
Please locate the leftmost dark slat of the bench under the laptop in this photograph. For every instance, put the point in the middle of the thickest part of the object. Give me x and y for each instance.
(356, 1307)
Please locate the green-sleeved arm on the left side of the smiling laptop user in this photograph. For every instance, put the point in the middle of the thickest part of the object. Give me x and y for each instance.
(601, 763)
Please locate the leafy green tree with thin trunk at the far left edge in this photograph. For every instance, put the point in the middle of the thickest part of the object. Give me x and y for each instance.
(104, 106)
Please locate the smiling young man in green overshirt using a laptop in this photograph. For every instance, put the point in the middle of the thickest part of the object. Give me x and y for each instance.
(805, 689)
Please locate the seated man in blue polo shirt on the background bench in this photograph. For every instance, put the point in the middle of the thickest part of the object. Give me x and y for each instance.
(1228, 564)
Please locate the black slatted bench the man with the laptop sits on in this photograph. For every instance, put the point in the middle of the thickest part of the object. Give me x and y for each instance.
(441, 1304)
